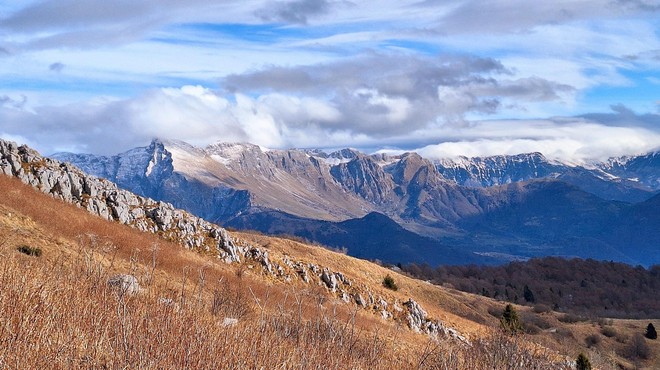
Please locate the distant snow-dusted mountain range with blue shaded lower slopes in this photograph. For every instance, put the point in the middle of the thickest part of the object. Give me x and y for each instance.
(406, 208)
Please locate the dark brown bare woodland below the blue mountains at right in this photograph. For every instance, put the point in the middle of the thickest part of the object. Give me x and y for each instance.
(589, 287)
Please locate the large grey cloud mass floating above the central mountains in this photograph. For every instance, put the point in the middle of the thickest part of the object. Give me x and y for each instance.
(389, 94)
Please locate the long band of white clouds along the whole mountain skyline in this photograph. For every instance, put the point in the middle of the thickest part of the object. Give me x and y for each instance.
(201, 116)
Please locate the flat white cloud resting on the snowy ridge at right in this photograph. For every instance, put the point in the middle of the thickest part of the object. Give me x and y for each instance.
(573, 140)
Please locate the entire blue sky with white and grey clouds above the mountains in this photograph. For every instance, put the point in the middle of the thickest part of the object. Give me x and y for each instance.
(577, 80)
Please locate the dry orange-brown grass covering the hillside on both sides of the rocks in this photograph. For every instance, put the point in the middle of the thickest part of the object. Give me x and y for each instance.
(57, 310)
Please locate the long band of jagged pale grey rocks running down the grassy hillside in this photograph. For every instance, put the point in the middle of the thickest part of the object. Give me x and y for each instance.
(104, 199)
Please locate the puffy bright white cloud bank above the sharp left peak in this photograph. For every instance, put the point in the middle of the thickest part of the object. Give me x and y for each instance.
(191, 113)
